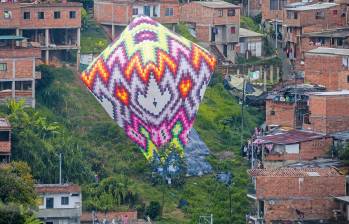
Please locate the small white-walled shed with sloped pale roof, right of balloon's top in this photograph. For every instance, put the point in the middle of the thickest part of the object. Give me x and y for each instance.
(250, 43)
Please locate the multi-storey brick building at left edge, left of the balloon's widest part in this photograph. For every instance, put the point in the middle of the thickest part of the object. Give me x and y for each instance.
(17, 69)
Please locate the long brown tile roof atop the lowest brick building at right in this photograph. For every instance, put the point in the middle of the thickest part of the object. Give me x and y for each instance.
(294, 172)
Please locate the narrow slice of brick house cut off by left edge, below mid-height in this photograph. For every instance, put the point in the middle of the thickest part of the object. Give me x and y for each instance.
(5, 141)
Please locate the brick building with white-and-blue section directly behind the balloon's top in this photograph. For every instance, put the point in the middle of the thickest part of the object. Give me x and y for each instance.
(115, 15)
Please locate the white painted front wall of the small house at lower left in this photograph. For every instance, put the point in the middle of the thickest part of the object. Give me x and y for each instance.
(74, 201)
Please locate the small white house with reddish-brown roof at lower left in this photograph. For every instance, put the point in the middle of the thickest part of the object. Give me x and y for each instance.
(59, 203)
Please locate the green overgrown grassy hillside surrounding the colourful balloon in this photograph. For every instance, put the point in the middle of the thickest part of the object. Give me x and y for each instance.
(70, 121)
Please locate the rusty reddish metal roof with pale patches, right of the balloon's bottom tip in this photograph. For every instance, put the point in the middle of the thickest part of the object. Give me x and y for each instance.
(289, 137)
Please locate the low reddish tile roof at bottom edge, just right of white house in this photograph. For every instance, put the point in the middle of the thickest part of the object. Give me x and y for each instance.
(87, 216)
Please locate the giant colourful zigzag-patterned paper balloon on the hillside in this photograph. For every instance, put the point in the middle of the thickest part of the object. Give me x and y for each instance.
(151, 82)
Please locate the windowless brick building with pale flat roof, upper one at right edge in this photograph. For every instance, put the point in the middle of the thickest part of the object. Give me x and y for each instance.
(328, 67)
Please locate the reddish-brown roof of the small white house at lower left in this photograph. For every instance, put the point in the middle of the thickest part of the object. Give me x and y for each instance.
(57, 188)
